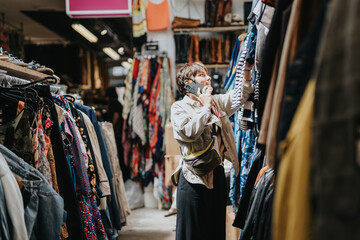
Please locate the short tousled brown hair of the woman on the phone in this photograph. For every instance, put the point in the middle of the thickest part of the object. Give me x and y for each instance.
(188, 71)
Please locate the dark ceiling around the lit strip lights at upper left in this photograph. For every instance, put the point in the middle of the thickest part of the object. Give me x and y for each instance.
(45, 22)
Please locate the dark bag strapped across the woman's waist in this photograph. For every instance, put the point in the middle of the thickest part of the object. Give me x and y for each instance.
(203, 162)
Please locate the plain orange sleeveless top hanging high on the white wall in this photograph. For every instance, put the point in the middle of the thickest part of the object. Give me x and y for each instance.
(157, 15)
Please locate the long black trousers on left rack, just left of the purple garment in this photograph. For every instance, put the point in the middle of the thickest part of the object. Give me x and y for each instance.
(65, 183)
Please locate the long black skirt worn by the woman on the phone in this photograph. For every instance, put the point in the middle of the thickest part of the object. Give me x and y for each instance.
(201, 212)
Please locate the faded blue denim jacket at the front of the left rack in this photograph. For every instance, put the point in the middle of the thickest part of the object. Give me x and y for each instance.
(44, 208)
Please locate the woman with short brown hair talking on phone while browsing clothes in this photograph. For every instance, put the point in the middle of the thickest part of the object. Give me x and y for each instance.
(199, 121)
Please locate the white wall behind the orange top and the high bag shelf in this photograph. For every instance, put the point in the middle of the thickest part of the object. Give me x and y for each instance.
(184, 8)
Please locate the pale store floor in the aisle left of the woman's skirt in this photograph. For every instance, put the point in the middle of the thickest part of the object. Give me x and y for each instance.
(145, 223)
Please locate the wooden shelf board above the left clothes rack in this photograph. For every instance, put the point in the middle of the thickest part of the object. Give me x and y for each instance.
(21, 72)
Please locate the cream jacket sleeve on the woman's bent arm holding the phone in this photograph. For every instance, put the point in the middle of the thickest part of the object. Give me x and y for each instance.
(188, 127)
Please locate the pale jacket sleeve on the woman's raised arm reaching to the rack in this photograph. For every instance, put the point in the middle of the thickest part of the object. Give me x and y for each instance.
(224, 101)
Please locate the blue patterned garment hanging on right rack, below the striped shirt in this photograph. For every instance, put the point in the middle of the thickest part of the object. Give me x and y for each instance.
(248, 148)
